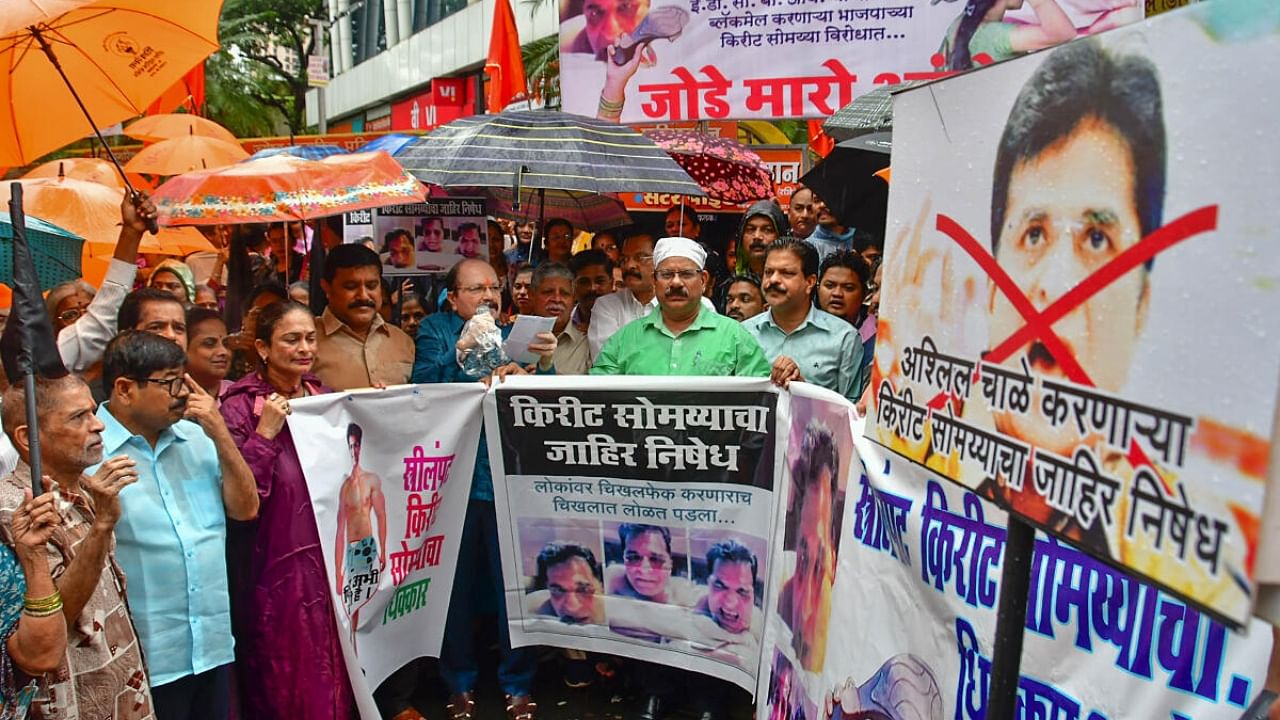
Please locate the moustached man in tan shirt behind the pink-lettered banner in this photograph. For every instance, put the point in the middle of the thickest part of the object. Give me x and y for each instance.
(356, 348)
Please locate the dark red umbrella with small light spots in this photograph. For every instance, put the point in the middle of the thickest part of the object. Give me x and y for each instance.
(726, 170)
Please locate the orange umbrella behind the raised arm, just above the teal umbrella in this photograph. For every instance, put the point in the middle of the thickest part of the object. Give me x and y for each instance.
(93, 212)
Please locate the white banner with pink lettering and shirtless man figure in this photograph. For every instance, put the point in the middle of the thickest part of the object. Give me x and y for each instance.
(390, 495)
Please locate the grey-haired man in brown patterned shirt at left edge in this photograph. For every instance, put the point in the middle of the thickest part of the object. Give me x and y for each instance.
(102, 675)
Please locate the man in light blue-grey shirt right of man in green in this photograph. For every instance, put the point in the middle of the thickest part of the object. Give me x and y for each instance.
(801, 341)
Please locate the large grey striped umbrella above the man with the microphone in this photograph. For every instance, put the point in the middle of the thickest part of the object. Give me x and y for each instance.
(563, 152)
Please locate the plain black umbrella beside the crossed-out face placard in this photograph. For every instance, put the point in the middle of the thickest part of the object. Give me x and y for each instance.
(848, 184)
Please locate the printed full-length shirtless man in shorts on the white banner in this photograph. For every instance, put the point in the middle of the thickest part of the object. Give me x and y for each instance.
(360, 557)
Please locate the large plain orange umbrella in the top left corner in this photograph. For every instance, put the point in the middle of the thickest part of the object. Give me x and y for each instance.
(120, 56)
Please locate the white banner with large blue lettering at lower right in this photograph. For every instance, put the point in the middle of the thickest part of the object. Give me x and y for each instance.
(909, 635)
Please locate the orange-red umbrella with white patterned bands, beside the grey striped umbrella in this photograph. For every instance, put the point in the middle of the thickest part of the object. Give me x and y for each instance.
(286, 189)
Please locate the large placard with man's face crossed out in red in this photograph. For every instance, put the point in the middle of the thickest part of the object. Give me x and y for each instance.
(1037, 344)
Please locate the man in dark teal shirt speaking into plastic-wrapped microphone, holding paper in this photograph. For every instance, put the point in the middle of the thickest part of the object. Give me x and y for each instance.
(472, 285)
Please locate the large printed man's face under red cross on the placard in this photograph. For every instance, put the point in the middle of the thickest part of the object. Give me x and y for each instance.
(1086, 113)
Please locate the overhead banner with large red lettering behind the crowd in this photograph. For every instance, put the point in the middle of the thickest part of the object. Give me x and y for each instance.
(771, 60)
